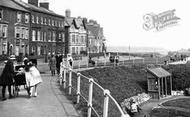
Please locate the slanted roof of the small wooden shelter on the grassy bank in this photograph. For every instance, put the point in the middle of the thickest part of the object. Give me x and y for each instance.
(159, 72)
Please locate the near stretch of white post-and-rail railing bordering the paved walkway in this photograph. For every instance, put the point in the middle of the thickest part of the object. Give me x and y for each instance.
(91, 84)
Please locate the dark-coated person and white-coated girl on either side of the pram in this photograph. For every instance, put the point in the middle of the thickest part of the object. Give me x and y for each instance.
(31, 73)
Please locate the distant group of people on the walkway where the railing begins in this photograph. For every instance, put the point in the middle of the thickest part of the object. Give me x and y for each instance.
(56, 63)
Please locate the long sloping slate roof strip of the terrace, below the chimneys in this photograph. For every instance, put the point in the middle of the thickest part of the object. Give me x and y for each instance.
(38, 9)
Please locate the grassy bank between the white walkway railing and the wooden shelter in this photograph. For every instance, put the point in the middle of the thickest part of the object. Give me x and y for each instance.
(123, 82)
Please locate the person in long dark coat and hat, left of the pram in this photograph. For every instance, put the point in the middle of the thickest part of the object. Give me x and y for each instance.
(6, 78)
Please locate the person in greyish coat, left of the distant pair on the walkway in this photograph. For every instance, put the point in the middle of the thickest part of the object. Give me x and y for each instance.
(52, 65)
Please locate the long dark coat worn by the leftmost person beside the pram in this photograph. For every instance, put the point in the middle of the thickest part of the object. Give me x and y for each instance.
(7, 74)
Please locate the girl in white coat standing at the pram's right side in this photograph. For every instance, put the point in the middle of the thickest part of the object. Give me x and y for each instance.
(34, 79)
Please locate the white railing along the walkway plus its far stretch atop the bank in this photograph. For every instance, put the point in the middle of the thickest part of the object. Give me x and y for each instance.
(67, 80)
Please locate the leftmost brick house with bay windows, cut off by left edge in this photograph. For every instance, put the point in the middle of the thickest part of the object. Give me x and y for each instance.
(14, 29)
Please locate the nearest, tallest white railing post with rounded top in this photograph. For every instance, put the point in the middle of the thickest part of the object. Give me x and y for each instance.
(106, 102)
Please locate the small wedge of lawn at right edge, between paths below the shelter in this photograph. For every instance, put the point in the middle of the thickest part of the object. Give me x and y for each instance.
(182, 103)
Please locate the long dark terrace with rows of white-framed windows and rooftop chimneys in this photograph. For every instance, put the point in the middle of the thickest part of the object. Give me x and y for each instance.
(47, 33)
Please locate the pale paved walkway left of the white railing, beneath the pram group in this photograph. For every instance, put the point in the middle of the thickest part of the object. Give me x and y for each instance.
(51, 102)
